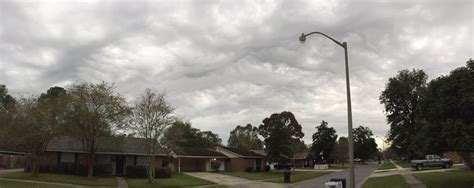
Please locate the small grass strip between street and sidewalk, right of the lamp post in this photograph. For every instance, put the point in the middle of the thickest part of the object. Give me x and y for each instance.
(394, 181)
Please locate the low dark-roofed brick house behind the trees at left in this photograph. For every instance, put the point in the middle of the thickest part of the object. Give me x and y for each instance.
(113, 155)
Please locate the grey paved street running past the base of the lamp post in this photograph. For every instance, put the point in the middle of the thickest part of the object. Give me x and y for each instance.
(362, 172)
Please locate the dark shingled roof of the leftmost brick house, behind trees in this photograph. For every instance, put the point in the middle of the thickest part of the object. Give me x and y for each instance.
(121, 145)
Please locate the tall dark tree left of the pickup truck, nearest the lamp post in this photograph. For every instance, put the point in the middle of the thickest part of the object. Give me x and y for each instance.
(401, 99)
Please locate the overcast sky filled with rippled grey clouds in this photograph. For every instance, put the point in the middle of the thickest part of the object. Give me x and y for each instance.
(228, 63)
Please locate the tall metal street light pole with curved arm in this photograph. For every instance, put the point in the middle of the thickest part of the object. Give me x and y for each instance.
(349, 106)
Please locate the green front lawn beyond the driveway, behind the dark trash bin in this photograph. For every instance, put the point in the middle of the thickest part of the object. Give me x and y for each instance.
(276, 176)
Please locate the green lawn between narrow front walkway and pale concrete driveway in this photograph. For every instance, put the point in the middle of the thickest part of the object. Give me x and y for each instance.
(177, 180)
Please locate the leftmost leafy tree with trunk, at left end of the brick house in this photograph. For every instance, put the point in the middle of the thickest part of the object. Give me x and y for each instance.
(37, 122)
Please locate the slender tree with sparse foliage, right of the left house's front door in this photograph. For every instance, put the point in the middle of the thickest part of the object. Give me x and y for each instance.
(151, 115)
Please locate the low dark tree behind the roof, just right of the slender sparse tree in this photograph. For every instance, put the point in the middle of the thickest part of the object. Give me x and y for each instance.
(182, 134)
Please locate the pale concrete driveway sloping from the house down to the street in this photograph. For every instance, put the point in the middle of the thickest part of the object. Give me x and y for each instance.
(231, 181)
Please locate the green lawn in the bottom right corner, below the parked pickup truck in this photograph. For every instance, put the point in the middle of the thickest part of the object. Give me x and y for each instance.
(457, 178)
